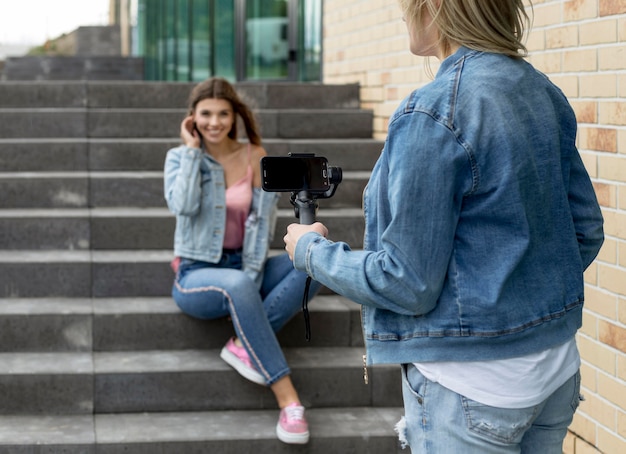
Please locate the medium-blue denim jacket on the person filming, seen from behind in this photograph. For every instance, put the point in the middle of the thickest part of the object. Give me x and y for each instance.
(480, 220)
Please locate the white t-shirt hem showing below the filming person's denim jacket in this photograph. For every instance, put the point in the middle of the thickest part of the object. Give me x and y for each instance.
(507, 383)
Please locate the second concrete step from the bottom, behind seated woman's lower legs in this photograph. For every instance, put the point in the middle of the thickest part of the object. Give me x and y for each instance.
(183, 380)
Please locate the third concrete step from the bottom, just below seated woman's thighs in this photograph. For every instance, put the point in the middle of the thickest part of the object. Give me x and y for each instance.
(126, 324)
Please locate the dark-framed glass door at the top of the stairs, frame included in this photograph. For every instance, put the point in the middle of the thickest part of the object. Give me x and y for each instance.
(267, 40)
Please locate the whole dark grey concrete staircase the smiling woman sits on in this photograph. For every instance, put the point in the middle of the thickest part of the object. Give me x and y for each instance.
(94, 355)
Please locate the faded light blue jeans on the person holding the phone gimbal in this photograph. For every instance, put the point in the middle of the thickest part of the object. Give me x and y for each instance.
(440, 421)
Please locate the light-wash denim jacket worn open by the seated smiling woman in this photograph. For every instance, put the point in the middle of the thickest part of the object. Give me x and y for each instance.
(196, 193)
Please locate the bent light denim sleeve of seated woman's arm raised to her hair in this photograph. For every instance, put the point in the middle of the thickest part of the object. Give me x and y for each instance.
(182, 187)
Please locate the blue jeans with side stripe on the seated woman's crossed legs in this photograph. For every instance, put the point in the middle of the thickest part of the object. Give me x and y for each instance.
(209, 291)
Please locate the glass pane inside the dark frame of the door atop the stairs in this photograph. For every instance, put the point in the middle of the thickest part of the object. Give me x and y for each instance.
(267, 39)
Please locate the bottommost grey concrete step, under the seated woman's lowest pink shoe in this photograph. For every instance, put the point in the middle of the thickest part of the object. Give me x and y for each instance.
(333, 430)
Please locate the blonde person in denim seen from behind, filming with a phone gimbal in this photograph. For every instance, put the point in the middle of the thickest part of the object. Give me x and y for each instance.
(480, 221)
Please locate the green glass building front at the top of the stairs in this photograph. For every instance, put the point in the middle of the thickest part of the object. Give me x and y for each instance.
(241, 40)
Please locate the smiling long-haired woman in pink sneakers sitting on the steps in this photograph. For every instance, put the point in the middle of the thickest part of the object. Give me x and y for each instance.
(224, 224)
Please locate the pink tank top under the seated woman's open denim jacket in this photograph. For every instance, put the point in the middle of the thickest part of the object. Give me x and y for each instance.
(238, 201)
